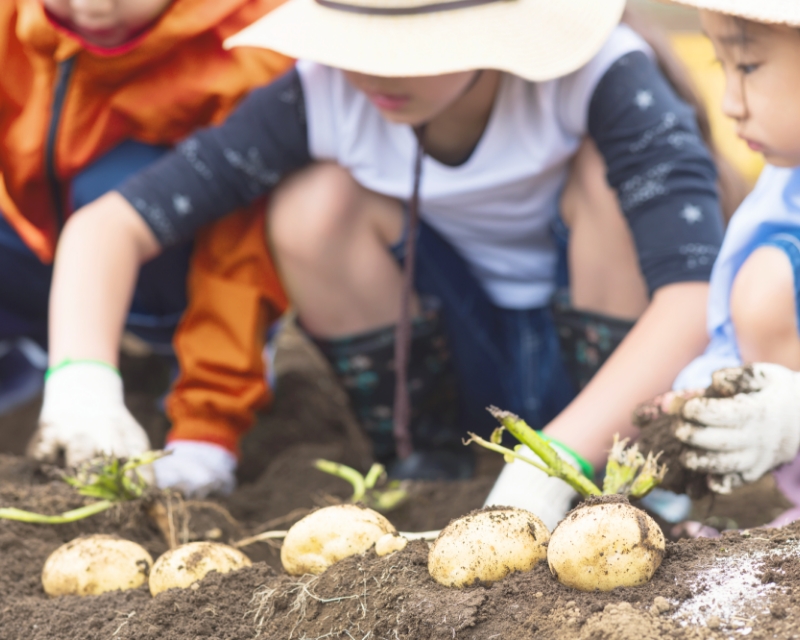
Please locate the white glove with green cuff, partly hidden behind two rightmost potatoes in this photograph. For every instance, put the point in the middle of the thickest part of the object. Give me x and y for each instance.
(524, 486)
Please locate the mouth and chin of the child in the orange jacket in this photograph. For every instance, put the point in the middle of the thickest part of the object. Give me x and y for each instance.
(107, 23)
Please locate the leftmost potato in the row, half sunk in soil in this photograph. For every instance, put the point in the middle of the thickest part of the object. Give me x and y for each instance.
(92, 565)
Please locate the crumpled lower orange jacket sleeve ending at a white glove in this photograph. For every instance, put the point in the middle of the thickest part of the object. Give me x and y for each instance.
(234, 295)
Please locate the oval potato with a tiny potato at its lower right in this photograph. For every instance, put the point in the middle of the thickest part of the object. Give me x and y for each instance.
(331, 534)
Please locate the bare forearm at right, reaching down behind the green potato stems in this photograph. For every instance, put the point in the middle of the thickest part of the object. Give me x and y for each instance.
(670, 333)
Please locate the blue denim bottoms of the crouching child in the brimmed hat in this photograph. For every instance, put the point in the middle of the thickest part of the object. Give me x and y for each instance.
(504, 357)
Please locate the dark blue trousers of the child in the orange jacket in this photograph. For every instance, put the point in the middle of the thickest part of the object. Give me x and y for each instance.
(160, 296)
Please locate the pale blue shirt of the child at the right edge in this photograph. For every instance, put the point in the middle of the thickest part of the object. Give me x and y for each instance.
(773, 206)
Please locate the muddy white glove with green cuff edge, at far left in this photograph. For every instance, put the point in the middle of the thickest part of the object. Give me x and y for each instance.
(84, 415)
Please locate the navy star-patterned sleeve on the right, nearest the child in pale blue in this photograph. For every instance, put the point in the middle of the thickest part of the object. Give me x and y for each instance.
(661, 170)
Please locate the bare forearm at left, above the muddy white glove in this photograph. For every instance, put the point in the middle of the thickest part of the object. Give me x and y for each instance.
(97, 262)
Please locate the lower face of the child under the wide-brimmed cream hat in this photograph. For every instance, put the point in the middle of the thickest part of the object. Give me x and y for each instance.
(412, 101)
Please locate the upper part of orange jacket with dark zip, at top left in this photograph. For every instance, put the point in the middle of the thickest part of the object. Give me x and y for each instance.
(172, 79)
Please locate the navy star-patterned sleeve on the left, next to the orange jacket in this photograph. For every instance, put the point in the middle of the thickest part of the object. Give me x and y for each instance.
(220, 169)
